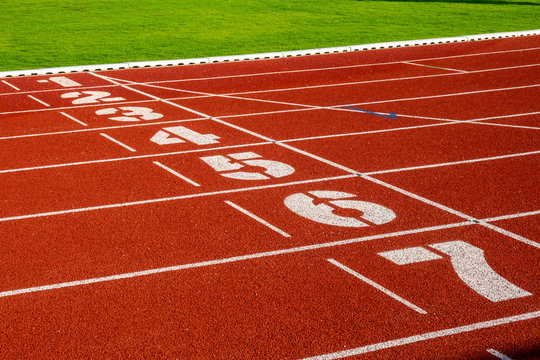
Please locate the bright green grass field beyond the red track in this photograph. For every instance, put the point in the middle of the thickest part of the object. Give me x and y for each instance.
(47, 33)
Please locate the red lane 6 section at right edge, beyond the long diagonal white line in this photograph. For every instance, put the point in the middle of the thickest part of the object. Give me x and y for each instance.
(480, 189)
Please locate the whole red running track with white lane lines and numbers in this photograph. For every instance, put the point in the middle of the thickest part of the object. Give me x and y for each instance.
(374, 205)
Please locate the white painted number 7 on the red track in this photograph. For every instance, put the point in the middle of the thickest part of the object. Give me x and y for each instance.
(470, 265)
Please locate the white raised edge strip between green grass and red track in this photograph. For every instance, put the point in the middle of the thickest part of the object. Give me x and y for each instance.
(262, 56)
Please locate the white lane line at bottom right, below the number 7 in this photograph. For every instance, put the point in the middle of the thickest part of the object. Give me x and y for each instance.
(426, 336)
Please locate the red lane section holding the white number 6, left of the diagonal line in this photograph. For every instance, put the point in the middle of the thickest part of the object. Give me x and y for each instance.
(132, 238)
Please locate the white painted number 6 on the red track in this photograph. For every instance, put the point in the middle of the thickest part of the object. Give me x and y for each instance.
(370, 213)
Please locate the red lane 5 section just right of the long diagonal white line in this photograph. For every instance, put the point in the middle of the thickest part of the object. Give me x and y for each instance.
(422, 146)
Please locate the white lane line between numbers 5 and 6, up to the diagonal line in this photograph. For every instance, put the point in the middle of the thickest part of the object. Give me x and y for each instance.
(172, 198)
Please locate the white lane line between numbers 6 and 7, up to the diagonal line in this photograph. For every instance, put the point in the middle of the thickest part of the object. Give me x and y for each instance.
(227, 260)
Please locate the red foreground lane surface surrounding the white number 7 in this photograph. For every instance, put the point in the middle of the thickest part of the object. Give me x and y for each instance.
(289, 306)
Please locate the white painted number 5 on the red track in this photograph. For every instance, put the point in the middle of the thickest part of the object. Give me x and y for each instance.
(227, 166)
